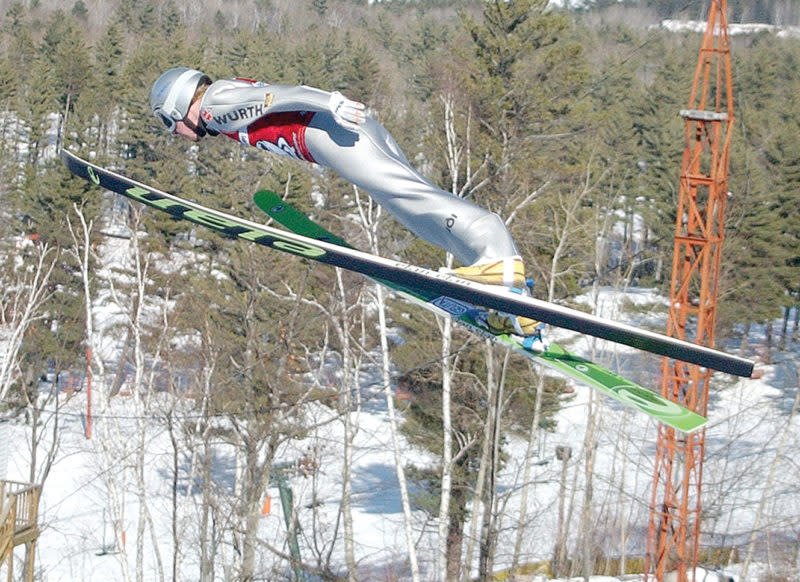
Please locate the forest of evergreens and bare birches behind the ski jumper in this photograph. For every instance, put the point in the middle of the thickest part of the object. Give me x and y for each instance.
(563, 120)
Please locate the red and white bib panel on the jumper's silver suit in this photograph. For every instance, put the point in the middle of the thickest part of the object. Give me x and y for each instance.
(280, 133)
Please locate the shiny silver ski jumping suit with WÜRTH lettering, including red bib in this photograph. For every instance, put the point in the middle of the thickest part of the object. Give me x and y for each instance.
(296, 121)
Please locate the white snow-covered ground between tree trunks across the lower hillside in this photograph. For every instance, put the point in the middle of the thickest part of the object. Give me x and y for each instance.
(747, 419)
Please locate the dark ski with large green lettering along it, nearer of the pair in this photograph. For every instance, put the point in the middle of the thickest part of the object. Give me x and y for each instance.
(404, 274)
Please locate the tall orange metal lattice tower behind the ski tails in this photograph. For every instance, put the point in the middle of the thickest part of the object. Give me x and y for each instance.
(675, 511)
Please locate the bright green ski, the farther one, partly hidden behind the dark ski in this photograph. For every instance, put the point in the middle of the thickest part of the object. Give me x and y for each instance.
(554, 357)
